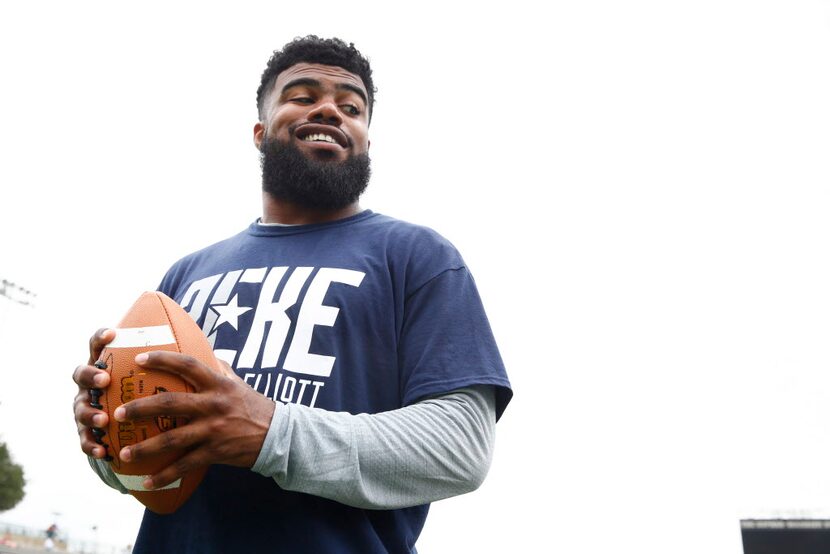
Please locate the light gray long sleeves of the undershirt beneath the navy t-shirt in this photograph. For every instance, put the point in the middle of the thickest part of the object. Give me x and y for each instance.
(434, 449)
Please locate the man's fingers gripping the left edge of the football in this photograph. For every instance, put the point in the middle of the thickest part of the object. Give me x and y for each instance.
(90, 377)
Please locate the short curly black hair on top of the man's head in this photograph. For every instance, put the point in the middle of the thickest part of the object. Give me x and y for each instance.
(313, 49)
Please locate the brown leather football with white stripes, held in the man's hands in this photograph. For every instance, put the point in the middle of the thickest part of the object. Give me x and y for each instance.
(155, 322)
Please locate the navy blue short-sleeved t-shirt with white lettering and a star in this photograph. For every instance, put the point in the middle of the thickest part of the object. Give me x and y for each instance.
(363, 315)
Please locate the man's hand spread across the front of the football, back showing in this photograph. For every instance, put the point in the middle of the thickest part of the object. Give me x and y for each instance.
(227, 424)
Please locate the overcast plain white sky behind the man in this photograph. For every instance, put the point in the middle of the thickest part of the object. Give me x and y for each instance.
(641, 189)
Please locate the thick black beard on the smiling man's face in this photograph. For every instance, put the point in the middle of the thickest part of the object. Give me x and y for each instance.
(288, 175)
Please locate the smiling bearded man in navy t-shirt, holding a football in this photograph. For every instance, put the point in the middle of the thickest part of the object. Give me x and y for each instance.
(366, 379)
